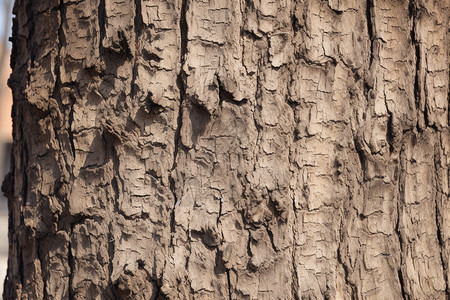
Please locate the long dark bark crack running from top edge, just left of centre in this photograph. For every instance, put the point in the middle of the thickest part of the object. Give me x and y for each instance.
(181, 86)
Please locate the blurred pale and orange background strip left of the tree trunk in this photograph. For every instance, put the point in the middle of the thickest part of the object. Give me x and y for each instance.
(5, 127)
